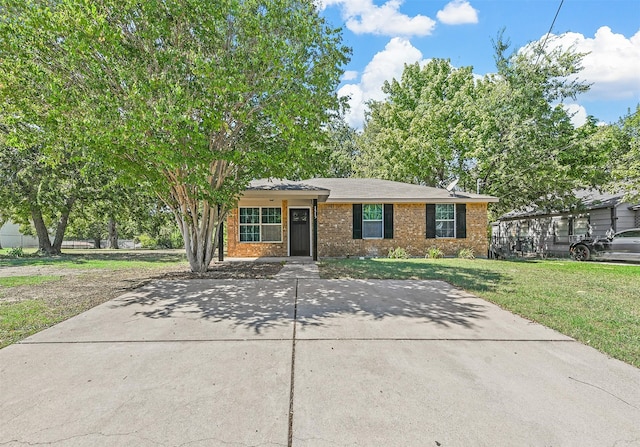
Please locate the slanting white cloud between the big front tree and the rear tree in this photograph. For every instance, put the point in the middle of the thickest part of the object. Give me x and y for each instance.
(385, 65)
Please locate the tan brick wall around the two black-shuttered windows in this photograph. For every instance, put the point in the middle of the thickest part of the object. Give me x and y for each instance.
(335, 238)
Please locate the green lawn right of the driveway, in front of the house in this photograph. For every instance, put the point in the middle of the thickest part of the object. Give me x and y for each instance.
(595, 303)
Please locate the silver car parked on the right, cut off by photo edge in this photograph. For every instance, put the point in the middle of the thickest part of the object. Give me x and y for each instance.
(621, 246)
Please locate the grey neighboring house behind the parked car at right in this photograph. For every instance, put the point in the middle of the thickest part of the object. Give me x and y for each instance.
(543, 233)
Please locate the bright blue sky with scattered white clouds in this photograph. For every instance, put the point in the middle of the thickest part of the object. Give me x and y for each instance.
(384, 35)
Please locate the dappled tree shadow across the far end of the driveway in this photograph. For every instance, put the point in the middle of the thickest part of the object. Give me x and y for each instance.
(261, 305)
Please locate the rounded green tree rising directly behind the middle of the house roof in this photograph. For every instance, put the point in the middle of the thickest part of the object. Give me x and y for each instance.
(420, 133)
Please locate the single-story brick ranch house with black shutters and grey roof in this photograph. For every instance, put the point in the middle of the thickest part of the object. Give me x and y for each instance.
(342, 217)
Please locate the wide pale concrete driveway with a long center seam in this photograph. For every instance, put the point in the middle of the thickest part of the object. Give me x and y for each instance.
(310, 362)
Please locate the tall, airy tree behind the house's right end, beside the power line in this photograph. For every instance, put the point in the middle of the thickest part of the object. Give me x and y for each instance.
(526, 150)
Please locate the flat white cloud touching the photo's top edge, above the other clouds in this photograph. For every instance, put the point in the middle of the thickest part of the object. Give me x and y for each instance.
(364, 17)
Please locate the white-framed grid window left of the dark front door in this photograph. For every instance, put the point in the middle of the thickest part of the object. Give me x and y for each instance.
(260, 224)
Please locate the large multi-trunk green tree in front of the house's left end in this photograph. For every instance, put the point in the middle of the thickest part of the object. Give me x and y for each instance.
(195, 97)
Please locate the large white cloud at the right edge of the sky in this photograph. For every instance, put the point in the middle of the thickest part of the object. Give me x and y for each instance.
(612, 65)
